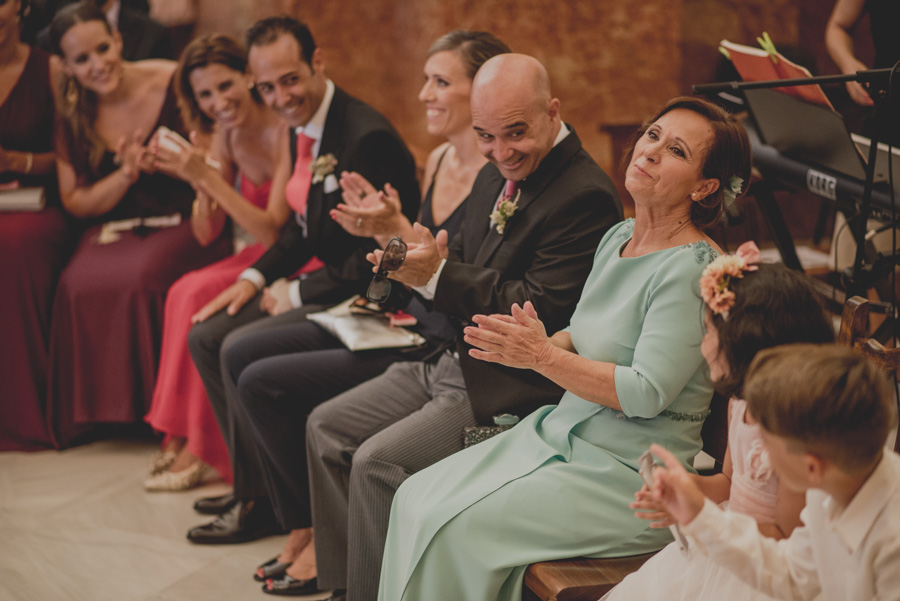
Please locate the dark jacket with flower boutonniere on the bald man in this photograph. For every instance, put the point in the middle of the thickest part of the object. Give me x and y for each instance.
(544, 256)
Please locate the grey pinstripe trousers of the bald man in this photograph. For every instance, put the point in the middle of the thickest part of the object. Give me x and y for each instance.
(361, 445)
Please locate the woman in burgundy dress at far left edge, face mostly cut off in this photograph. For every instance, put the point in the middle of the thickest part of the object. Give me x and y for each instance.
(33, 244)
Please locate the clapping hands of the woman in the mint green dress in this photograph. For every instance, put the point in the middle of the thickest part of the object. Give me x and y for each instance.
(516, 340)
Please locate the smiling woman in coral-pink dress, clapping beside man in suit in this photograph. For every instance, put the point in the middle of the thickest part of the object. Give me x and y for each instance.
(243, 137)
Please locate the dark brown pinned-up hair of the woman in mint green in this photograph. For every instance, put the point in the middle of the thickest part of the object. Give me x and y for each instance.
(728, 155)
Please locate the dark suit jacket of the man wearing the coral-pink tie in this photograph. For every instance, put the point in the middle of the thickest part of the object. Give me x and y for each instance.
(364, 141)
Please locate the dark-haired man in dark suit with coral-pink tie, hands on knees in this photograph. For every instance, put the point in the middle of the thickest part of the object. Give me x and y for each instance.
(331, 132)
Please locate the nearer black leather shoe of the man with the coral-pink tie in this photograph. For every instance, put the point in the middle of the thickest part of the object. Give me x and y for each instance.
(246, 521)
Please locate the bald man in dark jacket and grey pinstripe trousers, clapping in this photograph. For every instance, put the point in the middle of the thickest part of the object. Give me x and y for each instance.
(536, 214)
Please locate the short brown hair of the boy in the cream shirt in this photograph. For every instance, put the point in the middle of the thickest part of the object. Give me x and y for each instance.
(826, 400)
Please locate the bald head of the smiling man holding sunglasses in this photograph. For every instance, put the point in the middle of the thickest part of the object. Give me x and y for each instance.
(514, 116)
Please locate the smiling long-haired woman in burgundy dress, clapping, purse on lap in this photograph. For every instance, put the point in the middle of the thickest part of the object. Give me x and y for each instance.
(137, 240)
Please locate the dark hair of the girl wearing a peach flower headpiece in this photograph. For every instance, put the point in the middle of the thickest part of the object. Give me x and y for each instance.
(772, 306)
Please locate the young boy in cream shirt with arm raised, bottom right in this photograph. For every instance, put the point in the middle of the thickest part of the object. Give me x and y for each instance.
(825, 414)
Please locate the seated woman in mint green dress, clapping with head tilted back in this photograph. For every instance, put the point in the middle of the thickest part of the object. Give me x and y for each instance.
(559, 483)
